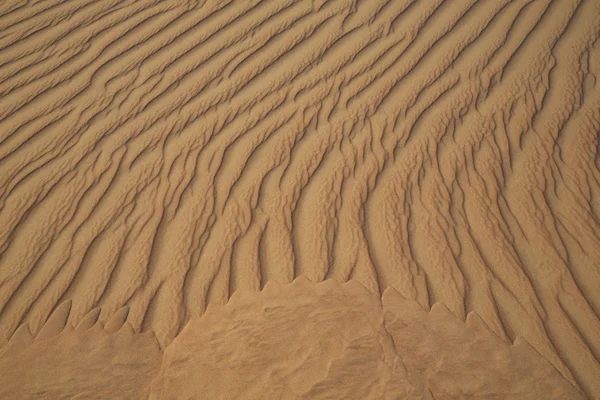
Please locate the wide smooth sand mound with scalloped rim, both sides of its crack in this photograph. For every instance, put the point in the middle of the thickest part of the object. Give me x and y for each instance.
(329, 341)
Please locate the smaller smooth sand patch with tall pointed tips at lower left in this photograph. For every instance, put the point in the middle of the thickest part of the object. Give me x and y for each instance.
(88, 362)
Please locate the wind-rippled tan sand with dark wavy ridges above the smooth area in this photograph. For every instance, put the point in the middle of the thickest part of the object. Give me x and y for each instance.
(161, 155)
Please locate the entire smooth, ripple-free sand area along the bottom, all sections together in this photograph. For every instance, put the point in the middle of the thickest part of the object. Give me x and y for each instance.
(300, 341)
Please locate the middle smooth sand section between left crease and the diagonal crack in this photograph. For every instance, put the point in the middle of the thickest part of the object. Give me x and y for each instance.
(287, 342)
